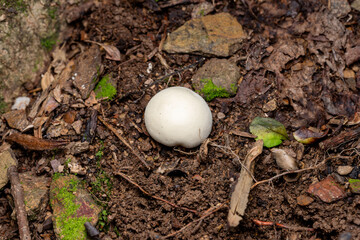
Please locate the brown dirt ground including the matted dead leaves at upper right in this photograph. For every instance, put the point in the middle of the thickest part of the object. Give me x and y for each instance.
(296, 53)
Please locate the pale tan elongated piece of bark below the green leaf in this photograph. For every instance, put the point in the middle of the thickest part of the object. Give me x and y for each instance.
(239, 197)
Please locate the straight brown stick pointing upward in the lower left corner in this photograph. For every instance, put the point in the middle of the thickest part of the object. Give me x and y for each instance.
(18, 194)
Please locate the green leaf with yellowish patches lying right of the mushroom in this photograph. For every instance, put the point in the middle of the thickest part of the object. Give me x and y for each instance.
(269, 130)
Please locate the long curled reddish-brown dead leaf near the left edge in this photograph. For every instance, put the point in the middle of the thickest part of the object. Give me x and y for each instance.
(33, 143)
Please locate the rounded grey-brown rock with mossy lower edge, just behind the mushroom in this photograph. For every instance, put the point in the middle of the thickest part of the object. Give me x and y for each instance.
(216, 78)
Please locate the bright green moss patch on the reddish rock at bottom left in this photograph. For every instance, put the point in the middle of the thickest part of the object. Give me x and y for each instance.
(71, 227)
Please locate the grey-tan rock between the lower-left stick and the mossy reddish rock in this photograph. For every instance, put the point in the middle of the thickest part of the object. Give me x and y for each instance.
(35, 193)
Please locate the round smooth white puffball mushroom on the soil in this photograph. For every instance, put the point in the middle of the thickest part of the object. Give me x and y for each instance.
(177, 116)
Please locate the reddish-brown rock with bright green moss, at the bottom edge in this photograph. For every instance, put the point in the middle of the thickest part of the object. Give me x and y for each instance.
(72, 206)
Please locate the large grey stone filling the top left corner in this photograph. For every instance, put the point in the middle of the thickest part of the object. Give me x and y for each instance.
(25, 27)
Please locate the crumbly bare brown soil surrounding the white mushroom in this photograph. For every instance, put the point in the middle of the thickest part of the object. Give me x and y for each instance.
(194, 182)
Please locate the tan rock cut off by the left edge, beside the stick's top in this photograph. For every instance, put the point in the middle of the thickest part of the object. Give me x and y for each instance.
(7, 159)
